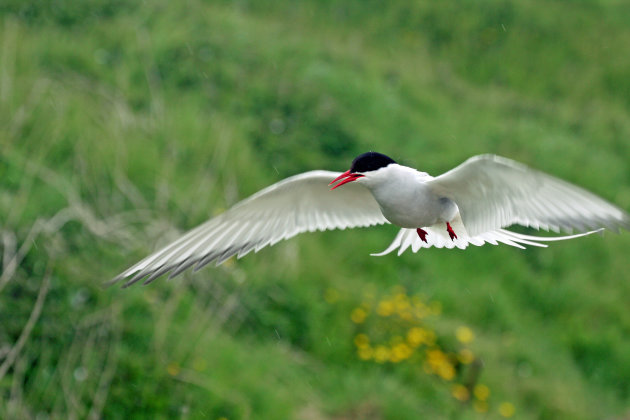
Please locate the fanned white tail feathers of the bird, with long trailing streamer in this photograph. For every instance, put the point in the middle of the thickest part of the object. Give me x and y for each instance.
(438, 237)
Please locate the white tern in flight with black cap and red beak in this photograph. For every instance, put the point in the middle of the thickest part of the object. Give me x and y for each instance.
(470, 204)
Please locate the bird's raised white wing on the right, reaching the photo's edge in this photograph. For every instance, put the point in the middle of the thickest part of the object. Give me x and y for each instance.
(494, 192)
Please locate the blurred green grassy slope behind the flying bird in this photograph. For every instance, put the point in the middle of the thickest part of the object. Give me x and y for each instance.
(123, 123)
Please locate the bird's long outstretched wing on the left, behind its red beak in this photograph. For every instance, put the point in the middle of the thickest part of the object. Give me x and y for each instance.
(297, 204)
